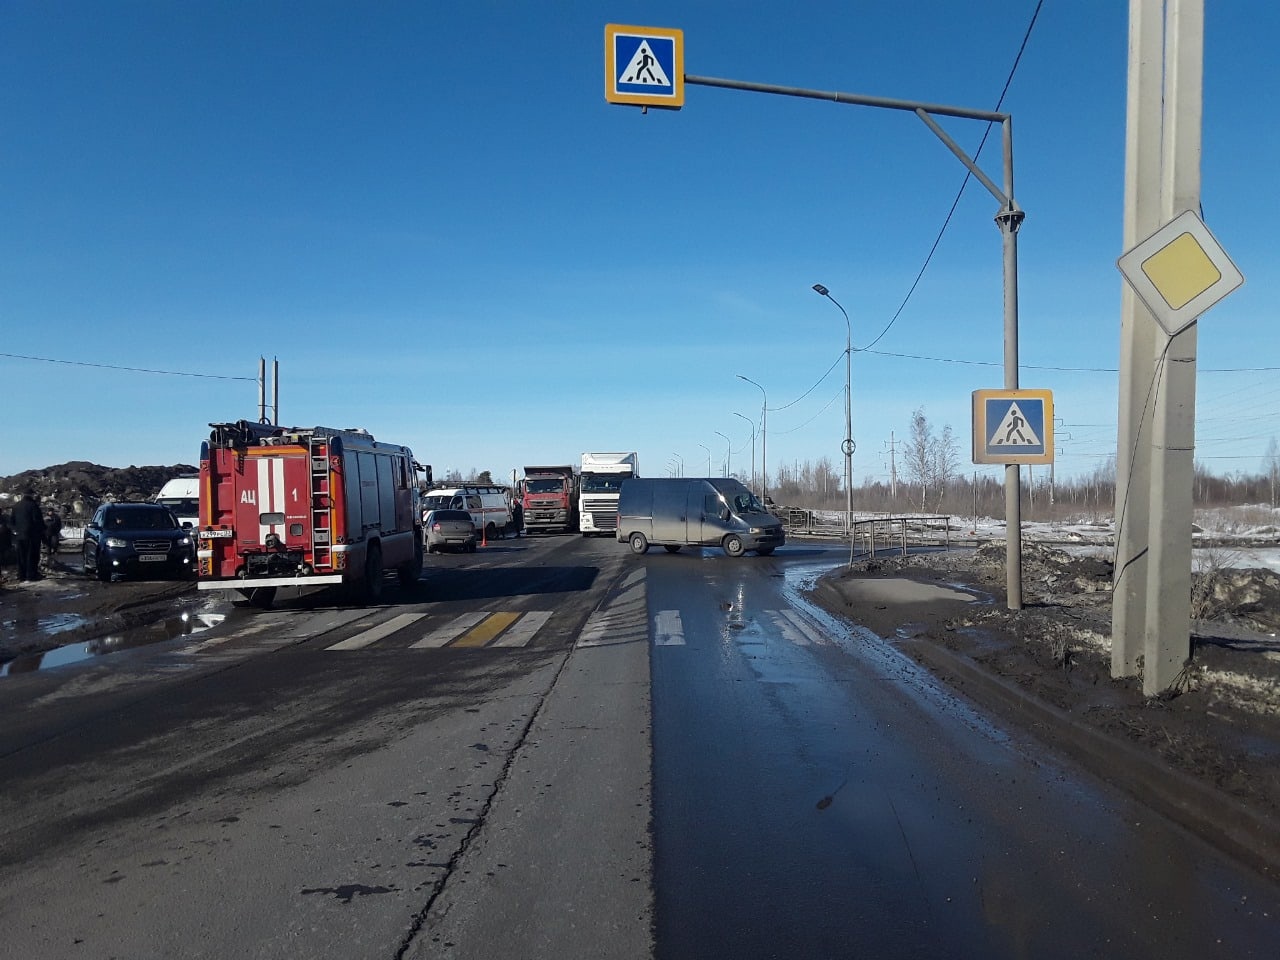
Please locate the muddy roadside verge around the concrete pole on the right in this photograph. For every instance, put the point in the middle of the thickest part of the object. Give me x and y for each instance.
(1223, 724)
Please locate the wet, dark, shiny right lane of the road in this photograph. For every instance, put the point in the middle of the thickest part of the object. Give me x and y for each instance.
(816, 796)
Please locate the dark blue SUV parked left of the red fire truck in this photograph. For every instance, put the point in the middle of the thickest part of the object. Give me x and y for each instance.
(136, 540)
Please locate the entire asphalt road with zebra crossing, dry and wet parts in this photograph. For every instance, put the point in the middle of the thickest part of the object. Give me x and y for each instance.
(554, 748)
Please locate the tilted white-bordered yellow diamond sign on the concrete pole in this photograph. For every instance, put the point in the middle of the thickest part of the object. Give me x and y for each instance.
(1180, 272)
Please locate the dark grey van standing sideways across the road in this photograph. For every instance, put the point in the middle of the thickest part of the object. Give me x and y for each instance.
(678, 513)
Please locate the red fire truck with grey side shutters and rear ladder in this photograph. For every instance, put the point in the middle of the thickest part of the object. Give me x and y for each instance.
(307, 508)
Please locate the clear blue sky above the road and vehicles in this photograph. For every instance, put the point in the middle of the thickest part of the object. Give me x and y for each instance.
(429, 214)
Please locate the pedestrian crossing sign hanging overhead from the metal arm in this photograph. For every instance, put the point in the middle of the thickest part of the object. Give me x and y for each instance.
(644, 66)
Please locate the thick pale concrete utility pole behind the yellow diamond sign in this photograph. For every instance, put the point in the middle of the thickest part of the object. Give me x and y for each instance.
(1155, 461)
